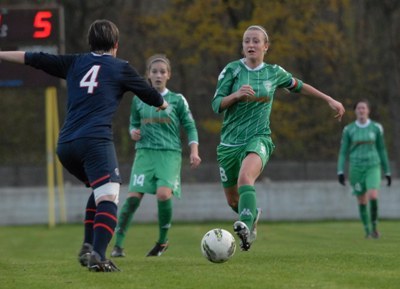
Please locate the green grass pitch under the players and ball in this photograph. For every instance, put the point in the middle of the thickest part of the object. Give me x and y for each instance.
(286, 255)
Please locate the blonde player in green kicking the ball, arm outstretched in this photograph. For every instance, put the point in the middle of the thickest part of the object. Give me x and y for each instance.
(245, 93)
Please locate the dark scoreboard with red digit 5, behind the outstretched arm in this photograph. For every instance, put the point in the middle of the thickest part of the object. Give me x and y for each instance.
(30, 29)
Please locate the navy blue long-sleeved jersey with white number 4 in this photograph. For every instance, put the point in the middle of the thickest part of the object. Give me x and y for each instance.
(96, 84)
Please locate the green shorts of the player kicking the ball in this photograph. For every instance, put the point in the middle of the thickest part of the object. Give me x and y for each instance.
(230, 158)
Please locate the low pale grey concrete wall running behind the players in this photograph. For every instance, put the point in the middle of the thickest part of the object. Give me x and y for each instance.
(280, 201)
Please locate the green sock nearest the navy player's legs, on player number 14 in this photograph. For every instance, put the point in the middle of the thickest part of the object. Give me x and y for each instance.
(125, 217)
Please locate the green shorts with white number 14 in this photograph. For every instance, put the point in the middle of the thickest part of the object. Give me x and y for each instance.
(152, 169)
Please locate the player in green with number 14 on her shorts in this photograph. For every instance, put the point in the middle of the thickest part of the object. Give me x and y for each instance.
(157, 165)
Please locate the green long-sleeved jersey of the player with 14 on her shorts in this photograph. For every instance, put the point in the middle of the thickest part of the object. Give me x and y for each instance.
(161, 130)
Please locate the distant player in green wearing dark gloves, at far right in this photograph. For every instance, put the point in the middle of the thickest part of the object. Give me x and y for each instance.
(363, 141)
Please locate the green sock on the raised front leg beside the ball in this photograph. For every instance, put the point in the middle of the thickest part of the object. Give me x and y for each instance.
(247, 205)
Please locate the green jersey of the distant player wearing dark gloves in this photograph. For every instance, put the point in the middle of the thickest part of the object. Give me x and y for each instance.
(364, 143)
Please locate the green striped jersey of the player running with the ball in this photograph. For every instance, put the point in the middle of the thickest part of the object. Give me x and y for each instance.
(246, 119)
